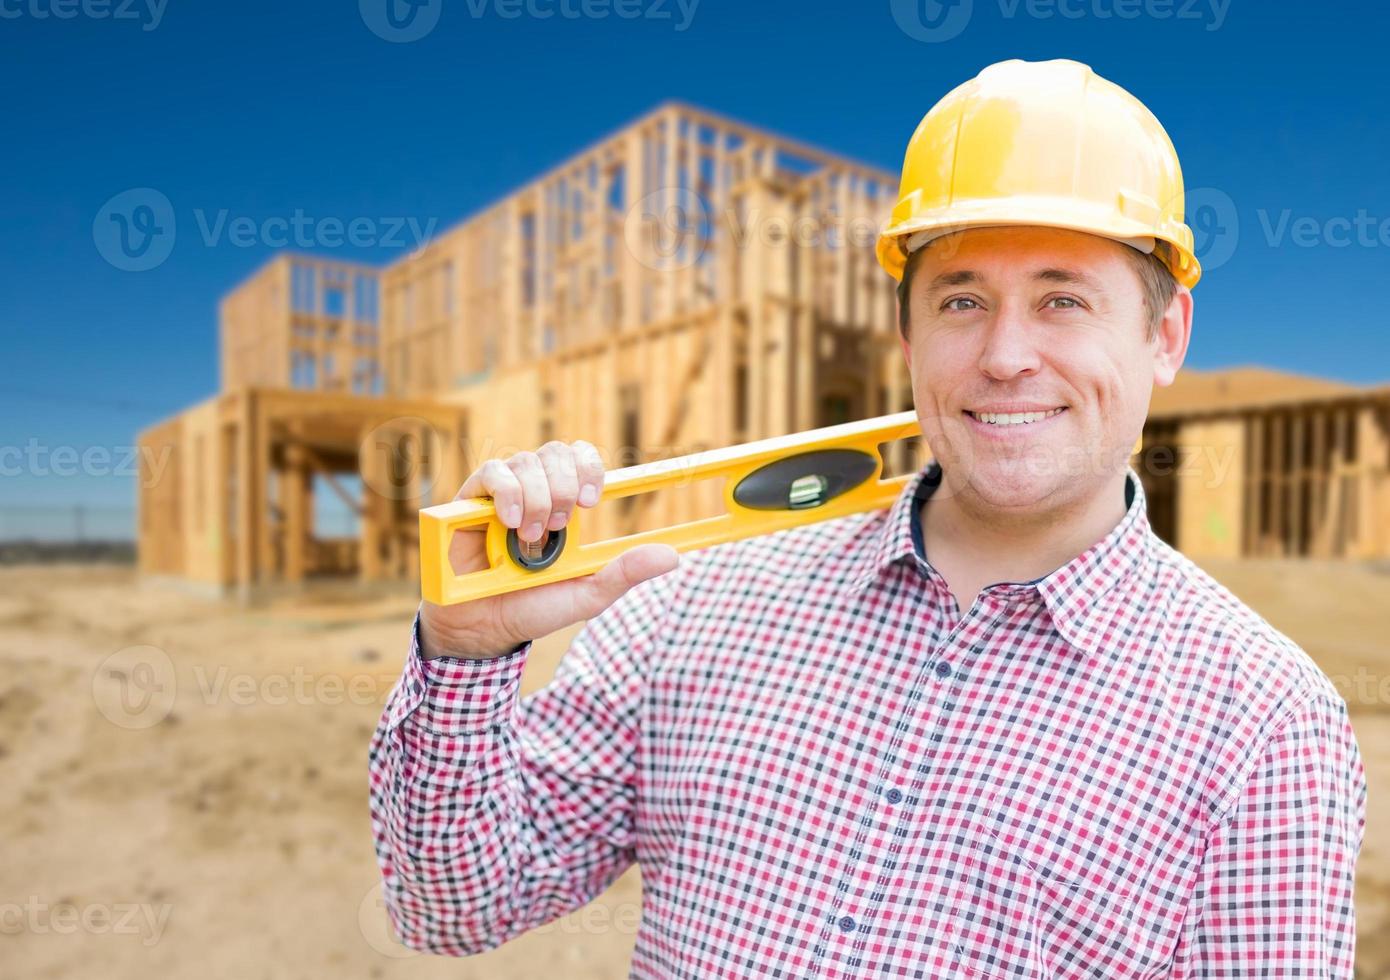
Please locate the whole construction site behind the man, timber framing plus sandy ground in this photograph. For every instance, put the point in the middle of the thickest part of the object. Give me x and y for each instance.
(687, 283)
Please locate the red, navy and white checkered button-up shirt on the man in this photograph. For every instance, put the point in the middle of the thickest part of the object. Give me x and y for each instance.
(825, 771)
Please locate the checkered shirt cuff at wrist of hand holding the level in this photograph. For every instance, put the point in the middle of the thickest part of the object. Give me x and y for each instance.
(452, 696)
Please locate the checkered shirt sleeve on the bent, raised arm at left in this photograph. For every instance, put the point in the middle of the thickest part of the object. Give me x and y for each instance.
(494, 815)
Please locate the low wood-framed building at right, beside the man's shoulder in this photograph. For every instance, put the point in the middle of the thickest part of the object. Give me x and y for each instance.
(1257, 464)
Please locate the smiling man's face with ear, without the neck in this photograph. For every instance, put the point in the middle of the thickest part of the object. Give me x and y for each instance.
(1043, 323)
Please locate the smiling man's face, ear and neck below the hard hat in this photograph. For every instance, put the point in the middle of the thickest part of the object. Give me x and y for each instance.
(1033, 352)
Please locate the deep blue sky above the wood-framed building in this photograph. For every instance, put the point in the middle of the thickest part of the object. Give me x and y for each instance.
(263, 111)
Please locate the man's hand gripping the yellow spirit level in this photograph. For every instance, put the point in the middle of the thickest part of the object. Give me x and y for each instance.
(533, 491)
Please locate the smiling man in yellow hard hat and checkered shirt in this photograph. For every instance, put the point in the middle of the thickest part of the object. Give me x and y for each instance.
(1000, 729)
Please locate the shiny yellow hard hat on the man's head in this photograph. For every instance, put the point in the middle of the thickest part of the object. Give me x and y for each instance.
(1043, 144)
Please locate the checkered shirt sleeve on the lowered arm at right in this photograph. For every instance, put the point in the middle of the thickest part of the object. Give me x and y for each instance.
(1275, 889)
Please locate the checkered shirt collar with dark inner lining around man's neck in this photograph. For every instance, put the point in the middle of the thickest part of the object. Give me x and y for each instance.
(1079, 596)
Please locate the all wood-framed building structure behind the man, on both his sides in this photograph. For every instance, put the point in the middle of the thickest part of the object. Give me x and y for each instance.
(687, 283)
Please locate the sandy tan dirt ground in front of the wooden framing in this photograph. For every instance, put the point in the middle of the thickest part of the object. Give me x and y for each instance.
(187, 779)
